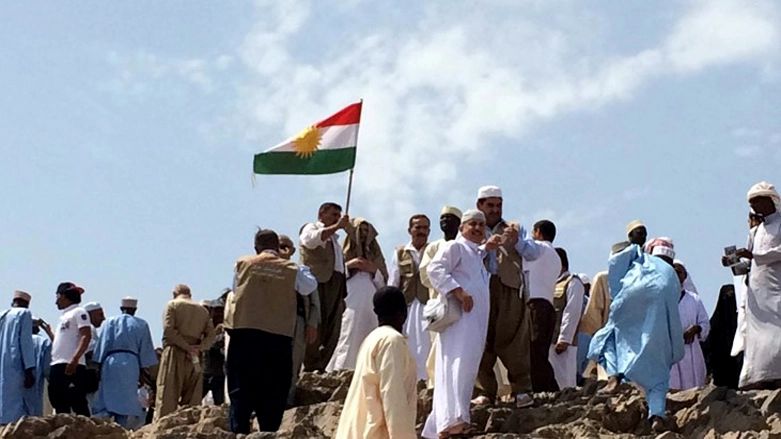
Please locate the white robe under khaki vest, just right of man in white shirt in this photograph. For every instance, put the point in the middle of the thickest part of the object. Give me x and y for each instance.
(565, 364)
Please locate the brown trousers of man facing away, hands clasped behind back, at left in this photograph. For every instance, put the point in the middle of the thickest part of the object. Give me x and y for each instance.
(179, 382)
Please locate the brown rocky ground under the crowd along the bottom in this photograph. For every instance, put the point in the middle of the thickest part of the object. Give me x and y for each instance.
(710, 412)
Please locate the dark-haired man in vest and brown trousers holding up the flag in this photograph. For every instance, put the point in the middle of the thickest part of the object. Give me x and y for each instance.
(321, 252)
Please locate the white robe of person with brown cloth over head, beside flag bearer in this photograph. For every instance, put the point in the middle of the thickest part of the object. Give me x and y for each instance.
(358, 319)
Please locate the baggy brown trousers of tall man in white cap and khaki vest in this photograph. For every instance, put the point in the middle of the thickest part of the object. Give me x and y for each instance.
(508, 339)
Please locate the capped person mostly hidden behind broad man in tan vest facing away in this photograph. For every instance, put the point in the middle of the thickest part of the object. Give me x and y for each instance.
(307, 320)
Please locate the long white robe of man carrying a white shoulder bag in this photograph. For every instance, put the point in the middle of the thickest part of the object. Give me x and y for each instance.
(458, 264)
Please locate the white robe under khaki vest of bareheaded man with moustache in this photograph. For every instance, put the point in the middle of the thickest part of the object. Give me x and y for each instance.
(418, 339)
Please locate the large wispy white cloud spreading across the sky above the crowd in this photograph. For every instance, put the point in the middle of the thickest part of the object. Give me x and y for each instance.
(459, 83)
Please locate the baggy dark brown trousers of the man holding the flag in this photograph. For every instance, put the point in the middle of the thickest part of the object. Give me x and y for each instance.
(332, 294)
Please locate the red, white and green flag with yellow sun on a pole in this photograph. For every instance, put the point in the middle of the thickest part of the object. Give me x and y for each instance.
(323, 148)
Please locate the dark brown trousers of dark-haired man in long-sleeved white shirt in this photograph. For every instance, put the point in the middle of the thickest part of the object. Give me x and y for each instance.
(543, 323)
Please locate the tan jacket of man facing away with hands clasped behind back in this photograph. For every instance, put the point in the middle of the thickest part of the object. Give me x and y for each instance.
(187, 323)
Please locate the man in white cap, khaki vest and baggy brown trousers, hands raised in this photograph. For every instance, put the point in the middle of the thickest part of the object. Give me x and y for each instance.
(509, 335)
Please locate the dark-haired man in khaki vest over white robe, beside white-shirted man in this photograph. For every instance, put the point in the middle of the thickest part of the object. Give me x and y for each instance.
(568, 304)
